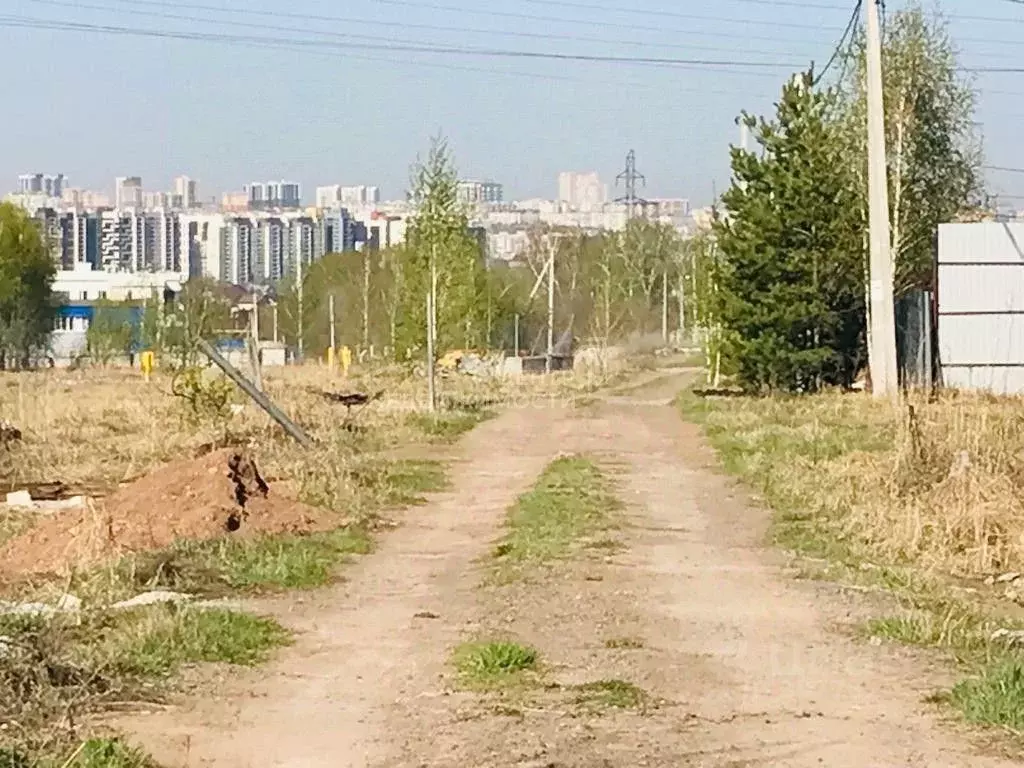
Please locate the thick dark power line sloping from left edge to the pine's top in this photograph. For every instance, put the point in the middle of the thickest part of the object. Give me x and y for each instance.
(704, 64)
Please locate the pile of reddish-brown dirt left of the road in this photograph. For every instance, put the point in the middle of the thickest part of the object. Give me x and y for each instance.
(193, 499)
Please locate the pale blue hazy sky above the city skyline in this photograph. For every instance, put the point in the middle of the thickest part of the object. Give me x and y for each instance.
(330, 100)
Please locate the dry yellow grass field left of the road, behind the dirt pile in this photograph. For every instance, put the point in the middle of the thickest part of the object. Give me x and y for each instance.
(97, 429)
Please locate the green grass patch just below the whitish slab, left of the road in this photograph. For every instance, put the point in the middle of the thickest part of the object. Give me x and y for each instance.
(158, 642)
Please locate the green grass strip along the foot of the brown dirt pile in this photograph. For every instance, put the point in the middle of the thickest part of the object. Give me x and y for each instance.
(268, 564)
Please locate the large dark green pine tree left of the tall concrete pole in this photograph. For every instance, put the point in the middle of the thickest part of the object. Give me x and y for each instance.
(790, 243)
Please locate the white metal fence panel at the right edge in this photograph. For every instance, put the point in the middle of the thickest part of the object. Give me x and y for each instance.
(982, 307)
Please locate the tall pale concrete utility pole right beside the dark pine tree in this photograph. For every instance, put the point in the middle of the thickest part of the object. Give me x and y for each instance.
(882, 350)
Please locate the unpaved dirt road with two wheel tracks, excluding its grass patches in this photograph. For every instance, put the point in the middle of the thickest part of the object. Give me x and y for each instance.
(749, 667)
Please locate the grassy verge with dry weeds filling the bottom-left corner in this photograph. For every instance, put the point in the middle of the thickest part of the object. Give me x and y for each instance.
(55, 670)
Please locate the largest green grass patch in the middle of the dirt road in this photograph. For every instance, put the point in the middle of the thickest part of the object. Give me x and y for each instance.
(573, 499)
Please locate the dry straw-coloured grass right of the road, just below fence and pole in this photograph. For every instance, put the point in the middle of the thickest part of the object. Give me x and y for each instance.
(938, 485)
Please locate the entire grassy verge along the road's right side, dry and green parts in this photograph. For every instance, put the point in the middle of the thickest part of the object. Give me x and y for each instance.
(918, 502)
